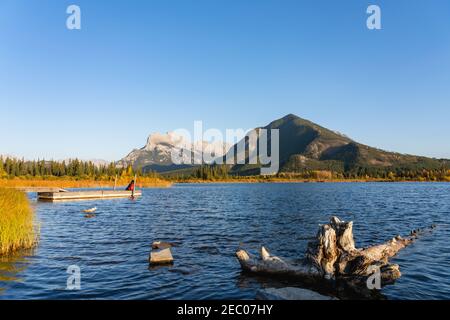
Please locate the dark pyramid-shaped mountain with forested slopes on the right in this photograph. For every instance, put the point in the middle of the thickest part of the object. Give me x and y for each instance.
(305, 145)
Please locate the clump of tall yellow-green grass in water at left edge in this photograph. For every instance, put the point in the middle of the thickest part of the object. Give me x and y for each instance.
(17, 224)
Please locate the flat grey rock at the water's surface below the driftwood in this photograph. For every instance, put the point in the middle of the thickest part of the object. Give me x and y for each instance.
(290, 293)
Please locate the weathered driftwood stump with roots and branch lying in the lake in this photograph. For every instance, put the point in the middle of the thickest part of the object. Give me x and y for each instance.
(332, 256)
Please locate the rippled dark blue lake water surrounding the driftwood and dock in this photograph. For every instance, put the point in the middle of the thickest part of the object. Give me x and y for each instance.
(209, 222)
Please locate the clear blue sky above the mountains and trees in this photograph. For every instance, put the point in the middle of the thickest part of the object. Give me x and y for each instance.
(138, 67)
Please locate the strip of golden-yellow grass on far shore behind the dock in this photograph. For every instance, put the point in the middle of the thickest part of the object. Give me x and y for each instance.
(65, 182)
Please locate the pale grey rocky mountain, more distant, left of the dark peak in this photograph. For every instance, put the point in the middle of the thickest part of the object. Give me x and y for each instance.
(157, 153)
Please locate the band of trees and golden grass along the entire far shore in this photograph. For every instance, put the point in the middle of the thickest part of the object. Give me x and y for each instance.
(82, 174)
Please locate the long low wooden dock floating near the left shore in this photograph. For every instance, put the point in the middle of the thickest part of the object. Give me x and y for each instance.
(86, 195)
